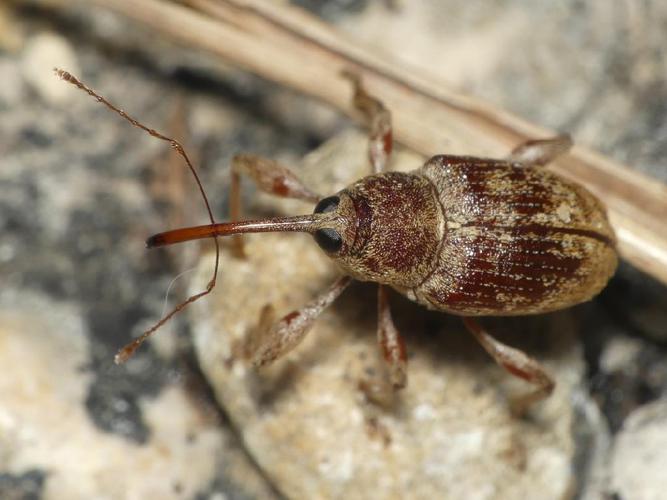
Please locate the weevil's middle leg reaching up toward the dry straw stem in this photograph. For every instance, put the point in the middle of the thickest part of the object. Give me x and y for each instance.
(379, 117)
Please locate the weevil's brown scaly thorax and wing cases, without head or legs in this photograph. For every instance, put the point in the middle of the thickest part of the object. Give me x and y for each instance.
(476, 237)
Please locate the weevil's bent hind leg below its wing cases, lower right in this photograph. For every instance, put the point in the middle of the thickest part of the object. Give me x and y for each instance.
(517, 363)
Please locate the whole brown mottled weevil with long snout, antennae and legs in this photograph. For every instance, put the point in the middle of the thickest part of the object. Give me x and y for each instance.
(464, 235)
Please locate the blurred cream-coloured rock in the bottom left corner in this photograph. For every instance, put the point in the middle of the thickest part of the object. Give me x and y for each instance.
(44, 424)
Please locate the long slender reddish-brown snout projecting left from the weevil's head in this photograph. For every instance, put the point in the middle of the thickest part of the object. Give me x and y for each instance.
(300, 223)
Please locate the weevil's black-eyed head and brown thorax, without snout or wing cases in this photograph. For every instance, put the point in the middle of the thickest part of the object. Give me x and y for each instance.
(384, 228)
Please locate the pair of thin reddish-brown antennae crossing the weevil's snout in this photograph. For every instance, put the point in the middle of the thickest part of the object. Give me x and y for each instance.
(126, 352)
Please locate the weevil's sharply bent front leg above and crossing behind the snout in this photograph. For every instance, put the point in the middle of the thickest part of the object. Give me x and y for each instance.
(270, 177)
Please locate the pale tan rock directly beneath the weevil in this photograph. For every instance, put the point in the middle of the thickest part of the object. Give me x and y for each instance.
(450, 433)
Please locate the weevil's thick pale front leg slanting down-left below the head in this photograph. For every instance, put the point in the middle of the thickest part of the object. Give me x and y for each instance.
(286, 334)
